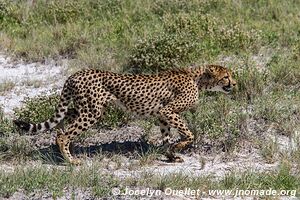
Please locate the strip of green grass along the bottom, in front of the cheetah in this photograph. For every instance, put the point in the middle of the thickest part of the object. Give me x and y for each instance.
(88, 178)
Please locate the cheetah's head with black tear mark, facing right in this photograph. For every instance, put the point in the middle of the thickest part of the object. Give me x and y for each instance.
(218, 78)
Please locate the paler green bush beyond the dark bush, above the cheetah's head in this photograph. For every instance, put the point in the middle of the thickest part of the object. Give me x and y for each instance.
(213, 31)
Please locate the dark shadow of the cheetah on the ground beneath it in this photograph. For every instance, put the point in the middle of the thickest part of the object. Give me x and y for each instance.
(52, 154)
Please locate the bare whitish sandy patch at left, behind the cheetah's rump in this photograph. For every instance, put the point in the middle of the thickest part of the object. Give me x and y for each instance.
(29, 80)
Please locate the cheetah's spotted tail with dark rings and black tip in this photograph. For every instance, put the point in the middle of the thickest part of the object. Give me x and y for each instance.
(53, 121)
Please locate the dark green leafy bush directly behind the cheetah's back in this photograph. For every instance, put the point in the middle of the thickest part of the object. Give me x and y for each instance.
(161, 52)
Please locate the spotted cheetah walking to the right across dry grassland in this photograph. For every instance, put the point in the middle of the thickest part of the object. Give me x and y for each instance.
(163, 95)
